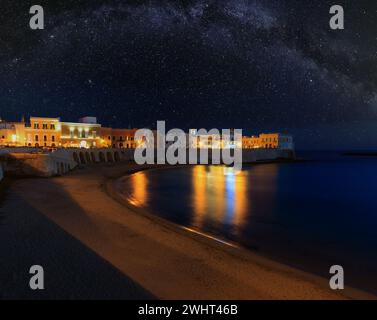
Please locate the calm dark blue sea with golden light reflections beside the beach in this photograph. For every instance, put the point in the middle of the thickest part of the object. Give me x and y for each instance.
(310, 215)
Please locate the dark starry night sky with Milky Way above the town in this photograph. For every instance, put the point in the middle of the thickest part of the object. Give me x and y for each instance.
(258, 65)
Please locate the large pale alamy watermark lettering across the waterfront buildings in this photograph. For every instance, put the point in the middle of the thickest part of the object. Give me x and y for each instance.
(195, 147)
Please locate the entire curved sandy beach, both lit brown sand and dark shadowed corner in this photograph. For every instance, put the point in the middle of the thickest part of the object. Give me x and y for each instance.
(93, 246)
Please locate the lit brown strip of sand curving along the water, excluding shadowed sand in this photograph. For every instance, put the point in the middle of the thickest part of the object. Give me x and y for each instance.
(141, 246)
